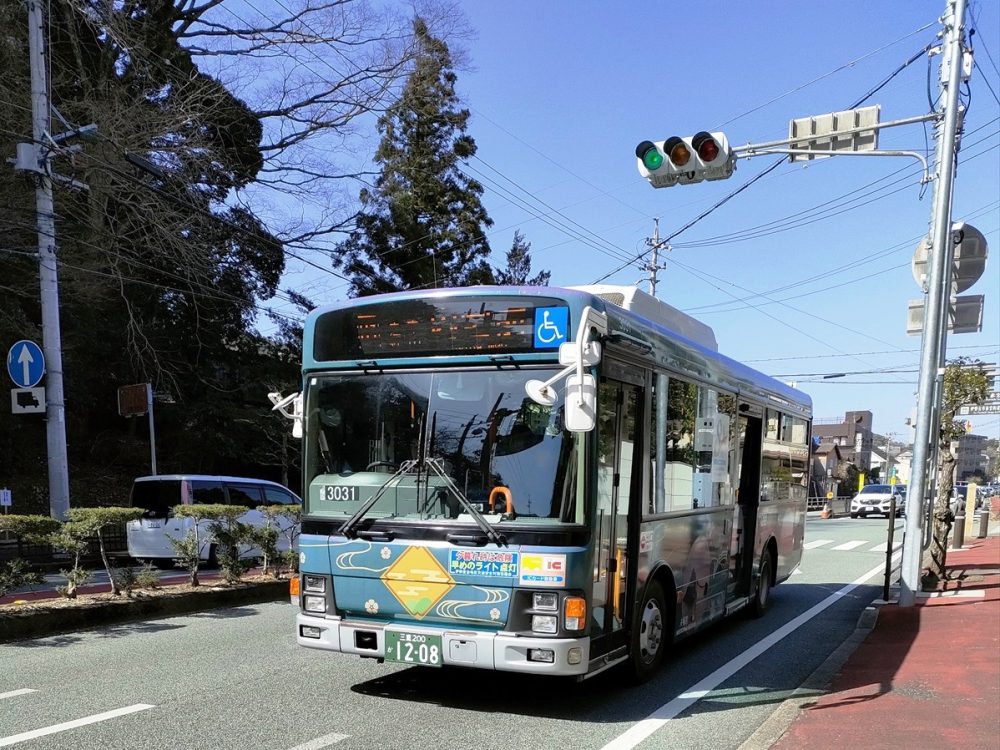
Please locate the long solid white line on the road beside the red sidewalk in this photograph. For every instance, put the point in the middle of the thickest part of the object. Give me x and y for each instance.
(644, 728)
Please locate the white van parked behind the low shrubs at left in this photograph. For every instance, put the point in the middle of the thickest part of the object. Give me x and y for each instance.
(148, 537)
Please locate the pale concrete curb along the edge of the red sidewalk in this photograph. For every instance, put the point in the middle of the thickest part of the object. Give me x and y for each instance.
(802, 697)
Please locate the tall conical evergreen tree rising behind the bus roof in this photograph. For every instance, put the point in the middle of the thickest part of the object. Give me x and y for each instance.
(422, 224)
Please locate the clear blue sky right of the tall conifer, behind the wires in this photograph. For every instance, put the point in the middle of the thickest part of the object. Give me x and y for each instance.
(807, 271)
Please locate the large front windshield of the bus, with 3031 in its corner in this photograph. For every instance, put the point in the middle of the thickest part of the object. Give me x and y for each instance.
(477, 426)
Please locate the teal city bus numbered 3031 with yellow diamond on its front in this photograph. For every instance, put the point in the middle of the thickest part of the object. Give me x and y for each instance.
(538, 480)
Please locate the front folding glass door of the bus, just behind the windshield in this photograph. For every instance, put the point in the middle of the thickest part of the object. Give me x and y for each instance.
(619, 472)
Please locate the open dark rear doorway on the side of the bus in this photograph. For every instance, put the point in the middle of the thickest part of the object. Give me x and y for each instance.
(750, 427)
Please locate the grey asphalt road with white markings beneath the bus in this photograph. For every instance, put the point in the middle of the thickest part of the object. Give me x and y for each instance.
(234, 679)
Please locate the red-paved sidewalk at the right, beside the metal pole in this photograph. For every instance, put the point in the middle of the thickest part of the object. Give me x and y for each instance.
(925, 677)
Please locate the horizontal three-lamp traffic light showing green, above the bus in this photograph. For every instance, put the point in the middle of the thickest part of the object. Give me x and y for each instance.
(677, 160)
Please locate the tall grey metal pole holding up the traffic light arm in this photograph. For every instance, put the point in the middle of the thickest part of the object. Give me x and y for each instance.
(934, 337)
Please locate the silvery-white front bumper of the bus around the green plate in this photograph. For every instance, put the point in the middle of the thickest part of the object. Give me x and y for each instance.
(463, 648)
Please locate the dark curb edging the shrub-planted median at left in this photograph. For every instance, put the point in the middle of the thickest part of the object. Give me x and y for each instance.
(15, 626)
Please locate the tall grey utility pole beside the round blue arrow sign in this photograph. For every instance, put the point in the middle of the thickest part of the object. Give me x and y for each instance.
(48, 269)
